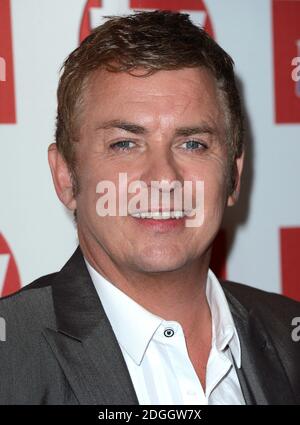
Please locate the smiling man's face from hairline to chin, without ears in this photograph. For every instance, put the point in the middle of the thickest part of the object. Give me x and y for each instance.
(151, 146)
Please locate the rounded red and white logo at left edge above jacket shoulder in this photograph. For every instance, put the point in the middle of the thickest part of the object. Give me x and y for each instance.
(9, 275)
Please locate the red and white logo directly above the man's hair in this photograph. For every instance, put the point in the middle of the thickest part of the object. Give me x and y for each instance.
(95, 9)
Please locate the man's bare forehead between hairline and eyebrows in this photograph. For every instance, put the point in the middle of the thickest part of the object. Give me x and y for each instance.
(167, 96)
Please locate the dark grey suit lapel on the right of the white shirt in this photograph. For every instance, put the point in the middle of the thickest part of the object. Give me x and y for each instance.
(261, 375)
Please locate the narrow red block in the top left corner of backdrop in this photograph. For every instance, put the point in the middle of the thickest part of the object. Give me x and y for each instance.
(7, 89)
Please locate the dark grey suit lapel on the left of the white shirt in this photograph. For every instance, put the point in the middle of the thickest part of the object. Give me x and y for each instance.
(84, 342)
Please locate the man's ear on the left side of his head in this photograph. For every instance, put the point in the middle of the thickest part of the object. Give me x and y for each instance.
(61, 176)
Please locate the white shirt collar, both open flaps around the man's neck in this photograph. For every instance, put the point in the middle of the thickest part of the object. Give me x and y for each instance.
(134, 326)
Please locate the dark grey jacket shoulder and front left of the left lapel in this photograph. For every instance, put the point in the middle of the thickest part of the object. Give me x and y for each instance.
(29, 372)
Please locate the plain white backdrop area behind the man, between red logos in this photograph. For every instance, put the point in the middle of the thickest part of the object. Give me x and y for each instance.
(39, 231)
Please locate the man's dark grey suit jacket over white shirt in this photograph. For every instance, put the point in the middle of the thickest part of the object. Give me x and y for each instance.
(60, 347)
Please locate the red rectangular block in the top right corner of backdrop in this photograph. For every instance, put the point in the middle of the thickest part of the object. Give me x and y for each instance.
(286, 36)
